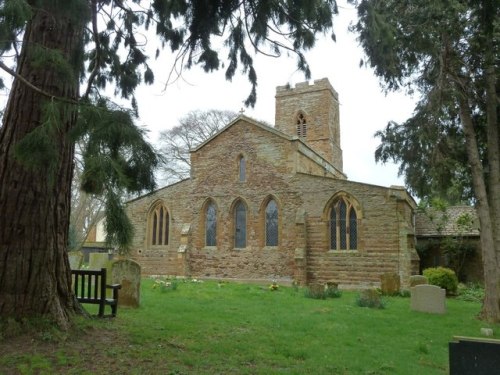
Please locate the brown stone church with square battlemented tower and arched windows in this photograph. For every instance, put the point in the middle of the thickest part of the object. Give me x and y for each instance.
(266, 203)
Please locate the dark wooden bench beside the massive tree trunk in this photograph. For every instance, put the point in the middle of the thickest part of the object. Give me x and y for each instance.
(90, 287)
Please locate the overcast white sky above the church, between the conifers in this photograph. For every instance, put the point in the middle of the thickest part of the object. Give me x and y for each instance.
(364, 108)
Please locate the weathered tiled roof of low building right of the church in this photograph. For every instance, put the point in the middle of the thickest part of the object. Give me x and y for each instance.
(431, 222)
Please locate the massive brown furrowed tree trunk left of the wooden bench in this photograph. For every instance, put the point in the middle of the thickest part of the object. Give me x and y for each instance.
(34, 210)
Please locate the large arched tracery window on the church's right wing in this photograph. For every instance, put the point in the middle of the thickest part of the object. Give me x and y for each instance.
(343, 226)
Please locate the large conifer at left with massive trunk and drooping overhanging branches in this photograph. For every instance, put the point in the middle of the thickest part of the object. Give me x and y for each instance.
(65, 52)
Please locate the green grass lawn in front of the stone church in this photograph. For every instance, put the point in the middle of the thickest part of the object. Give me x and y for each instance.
(207, 328)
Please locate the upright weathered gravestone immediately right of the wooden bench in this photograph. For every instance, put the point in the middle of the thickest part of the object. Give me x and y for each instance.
(127, 273)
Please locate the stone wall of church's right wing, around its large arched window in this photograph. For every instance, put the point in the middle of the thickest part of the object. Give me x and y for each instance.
(380, 247)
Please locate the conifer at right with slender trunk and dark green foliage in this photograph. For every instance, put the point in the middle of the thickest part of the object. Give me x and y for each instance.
(448, 52)
